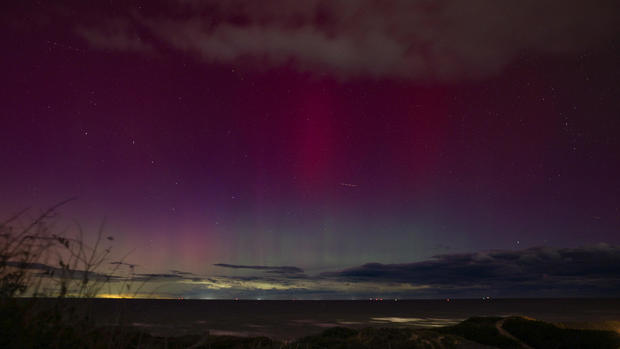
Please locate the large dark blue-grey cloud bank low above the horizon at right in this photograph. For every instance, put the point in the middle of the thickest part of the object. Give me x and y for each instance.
(590, 271)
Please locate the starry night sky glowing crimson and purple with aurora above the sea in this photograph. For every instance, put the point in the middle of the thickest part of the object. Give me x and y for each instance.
(324, 149)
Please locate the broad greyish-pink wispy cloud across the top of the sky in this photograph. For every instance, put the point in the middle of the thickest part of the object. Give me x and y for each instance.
(448, 39)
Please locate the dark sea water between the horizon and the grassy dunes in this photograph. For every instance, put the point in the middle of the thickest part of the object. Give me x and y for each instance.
(292, 319)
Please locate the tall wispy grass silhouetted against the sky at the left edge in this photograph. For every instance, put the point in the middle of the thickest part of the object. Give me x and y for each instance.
(41, 269)
